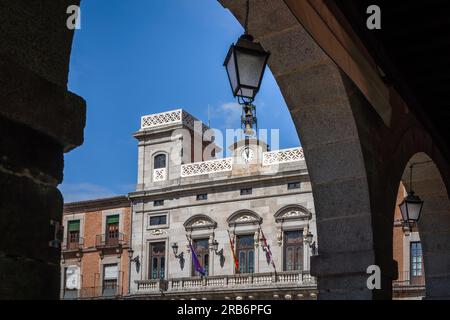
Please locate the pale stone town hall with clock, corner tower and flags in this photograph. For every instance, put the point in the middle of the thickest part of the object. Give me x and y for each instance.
(253, 195)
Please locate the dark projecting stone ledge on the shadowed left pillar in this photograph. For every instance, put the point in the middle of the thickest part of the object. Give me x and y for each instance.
(44, 106)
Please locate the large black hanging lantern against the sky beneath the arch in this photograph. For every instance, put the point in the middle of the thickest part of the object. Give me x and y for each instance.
(245, 64)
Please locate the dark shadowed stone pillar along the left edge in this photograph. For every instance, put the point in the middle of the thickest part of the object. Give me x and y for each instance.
(39, 121)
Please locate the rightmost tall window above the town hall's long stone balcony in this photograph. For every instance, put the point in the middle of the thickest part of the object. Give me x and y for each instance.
(293, 250)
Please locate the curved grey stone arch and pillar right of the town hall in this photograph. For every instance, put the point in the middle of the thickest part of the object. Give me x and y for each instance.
(318, 96)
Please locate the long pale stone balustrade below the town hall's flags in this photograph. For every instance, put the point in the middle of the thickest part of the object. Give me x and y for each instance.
(257, 280)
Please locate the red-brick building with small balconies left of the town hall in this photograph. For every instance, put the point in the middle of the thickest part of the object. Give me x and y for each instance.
(94, 252)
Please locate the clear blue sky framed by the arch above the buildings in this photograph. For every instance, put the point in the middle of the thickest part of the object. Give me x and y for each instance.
(132, 58)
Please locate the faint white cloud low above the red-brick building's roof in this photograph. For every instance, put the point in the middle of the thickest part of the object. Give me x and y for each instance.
(73, 192)
